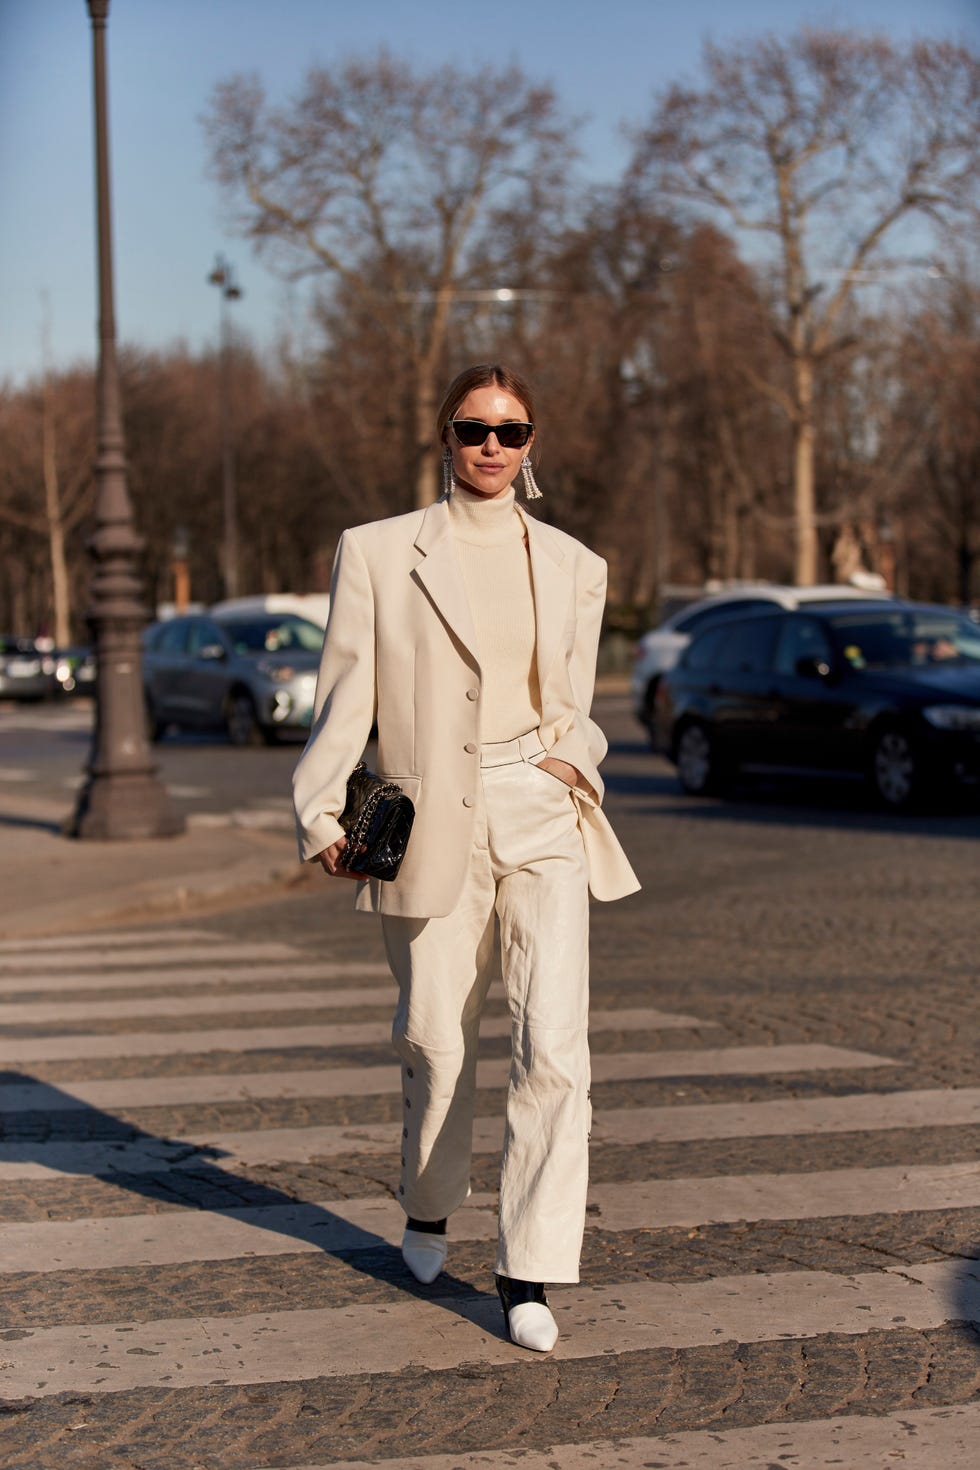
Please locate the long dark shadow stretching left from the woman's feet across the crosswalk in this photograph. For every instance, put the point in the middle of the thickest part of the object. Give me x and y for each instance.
(179, 1172)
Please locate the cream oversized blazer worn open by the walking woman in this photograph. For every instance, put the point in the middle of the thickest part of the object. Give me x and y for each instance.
(400, 649)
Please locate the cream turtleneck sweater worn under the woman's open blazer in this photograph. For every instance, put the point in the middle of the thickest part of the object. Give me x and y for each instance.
(496, 570)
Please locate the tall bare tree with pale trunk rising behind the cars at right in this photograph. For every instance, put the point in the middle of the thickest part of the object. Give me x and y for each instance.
(819, 151)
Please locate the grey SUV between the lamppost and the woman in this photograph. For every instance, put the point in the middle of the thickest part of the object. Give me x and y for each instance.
(252, 675)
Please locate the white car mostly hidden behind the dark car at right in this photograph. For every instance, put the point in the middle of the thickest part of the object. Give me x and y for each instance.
(659, 650)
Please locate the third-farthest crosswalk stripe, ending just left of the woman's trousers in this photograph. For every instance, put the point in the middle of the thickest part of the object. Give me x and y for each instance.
(220, 972)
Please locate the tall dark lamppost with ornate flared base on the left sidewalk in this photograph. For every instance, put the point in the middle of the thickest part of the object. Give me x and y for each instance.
(121, 796)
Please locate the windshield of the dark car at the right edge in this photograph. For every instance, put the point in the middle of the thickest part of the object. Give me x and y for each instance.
(907, 639)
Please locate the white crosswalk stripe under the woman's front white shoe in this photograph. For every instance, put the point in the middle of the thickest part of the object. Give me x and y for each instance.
(342, 1341)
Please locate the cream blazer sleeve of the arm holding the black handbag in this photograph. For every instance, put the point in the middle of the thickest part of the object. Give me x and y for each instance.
(345, 705)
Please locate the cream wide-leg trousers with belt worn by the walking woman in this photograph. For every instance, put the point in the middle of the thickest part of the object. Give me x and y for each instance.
(528, 868)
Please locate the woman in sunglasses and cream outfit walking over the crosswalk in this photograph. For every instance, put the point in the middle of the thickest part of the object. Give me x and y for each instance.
(469, 633)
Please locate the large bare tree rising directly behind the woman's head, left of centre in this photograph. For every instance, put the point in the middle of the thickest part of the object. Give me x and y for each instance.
(384, 182)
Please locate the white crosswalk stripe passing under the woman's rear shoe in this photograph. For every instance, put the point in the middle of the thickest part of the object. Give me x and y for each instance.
(347, 1225)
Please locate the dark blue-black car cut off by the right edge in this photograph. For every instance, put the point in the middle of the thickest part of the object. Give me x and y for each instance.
(888, 693)
